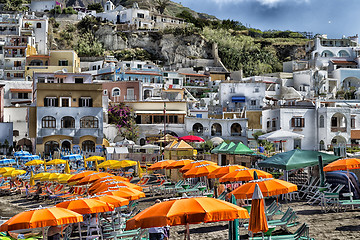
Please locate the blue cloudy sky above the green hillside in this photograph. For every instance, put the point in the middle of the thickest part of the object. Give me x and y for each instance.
(332, 17)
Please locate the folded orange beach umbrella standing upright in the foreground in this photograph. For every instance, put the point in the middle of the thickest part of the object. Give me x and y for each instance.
(257, 222)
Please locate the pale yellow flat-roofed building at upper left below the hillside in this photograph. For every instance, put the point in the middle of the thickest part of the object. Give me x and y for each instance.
(57, 60)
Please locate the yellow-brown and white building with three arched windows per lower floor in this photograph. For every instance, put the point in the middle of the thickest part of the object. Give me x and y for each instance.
(68, 113)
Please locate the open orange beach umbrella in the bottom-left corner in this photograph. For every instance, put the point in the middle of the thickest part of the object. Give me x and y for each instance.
(53, 216)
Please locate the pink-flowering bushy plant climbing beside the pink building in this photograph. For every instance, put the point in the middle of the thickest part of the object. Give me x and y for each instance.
(122, 116)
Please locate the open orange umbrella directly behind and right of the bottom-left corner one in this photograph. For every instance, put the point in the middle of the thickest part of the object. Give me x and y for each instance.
(86, 206)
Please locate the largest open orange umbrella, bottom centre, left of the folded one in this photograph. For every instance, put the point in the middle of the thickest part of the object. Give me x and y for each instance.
(186, 211)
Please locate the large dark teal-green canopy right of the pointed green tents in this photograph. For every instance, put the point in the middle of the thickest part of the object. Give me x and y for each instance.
(296, 159)
